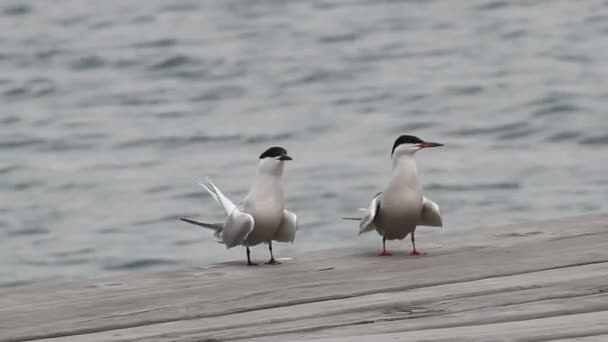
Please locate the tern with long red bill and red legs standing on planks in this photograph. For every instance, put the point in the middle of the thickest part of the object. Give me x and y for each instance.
(401, 207)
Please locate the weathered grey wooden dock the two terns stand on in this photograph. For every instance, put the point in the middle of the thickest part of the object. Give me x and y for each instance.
(545, 281)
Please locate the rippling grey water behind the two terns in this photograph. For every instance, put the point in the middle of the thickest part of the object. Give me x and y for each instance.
(111, 111)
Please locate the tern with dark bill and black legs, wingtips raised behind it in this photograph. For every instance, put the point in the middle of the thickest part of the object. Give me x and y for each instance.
(261, 217)
